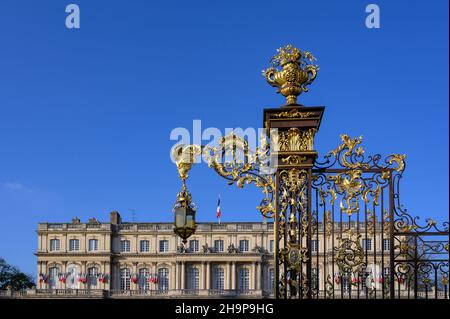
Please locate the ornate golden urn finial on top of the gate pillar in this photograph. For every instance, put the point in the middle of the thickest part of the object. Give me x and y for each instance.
(298, 71)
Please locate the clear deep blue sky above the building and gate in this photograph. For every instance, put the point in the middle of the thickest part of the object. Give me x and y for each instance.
(85, 115)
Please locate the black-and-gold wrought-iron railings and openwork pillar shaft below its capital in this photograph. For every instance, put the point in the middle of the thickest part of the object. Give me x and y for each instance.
(344, 234)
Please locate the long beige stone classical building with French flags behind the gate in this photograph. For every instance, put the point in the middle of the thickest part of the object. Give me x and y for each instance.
(124, 259)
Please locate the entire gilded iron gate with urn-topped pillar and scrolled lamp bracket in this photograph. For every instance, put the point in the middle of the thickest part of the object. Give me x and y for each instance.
(339, 228)
